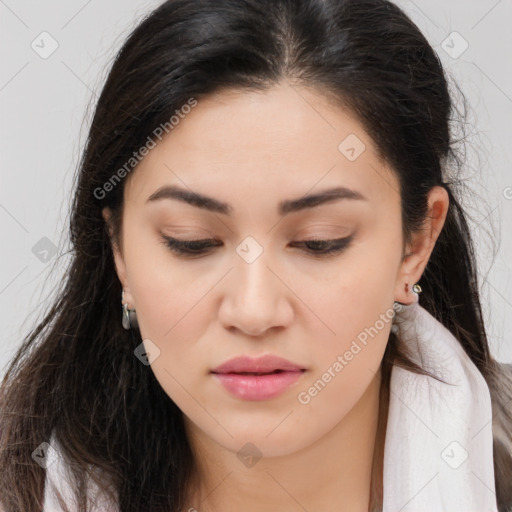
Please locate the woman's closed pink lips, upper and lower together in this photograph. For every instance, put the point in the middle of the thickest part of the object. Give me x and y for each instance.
(258, 387)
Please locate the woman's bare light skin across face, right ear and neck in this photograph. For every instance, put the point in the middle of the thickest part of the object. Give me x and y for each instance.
(253, 150)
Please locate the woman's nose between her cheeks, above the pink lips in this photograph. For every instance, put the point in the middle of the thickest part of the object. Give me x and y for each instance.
(255, 299)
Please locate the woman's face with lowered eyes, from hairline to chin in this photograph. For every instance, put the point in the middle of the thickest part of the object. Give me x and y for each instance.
(260, 289)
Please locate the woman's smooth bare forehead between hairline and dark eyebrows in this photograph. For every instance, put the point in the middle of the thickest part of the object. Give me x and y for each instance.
(282, 142)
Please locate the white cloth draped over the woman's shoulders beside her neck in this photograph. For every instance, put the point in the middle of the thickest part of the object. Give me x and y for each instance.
(438, 451)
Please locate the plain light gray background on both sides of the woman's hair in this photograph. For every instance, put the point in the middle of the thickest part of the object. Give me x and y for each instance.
(46, 105)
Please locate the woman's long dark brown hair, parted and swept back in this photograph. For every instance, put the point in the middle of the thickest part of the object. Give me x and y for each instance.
(75, 375)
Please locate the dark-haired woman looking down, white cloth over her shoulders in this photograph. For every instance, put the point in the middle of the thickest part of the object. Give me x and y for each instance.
(264, 185)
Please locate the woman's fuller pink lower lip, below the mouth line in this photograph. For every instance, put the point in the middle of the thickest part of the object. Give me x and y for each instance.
(258, 387)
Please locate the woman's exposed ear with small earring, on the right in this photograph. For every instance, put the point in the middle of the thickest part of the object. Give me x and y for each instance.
(419, 250)
